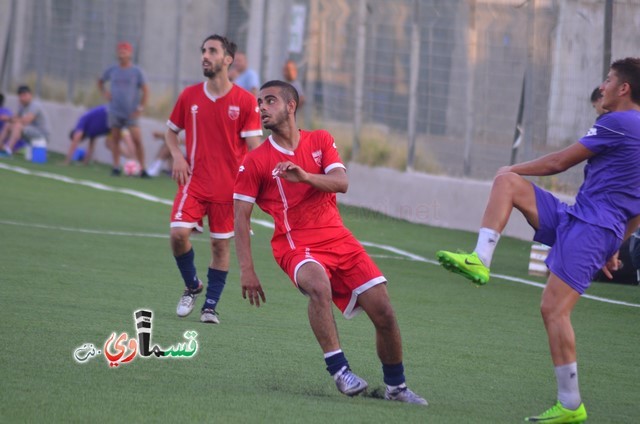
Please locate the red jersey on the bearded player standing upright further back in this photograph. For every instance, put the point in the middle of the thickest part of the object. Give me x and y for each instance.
(214, 133)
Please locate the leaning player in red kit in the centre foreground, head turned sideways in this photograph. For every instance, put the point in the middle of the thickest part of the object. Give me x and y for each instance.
(294, 177)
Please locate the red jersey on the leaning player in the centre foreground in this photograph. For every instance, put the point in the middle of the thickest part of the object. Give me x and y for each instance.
(303, 215)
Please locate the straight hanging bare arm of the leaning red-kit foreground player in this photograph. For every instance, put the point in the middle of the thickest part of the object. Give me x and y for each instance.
(249, 281)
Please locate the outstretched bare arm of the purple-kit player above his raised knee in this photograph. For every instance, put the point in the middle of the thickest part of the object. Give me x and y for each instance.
(551, 164)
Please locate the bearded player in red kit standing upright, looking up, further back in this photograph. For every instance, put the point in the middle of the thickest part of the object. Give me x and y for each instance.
(221, 121)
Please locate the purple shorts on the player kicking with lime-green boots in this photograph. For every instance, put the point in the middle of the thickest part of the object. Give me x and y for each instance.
(579, 249)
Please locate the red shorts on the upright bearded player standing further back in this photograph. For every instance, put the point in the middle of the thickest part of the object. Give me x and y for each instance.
(188, 212)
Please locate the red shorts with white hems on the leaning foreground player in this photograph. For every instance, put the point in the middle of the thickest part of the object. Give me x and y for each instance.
(348, 266)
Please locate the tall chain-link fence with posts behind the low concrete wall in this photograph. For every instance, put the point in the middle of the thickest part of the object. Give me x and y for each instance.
(443, 86)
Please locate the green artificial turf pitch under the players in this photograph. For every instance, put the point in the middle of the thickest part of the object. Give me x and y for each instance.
(80, 251)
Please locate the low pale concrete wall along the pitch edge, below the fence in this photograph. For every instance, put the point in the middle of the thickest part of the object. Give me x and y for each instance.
(420, 198)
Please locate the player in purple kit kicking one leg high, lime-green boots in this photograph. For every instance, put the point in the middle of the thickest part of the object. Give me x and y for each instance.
(584, 237)
